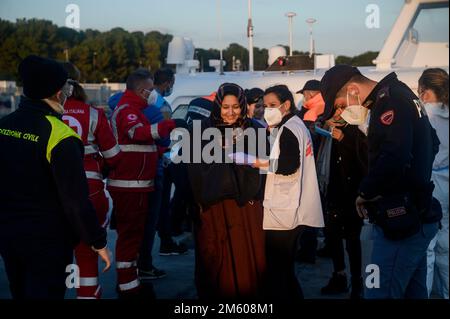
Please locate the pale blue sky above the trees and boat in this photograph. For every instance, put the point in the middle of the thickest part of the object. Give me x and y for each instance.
(340, 28)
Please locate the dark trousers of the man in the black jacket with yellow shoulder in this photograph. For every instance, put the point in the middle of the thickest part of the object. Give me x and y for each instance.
(36, 268)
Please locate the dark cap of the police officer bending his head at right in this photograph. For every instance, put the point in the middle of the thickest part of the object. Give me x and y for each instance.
(331, 83)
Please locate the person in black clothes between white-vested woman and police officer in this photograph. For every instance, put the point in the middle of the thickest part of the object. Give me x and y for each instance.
(347, 167)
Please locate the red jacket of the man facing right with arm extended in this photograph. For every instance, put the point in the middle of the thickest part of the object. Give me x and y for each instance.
(136, 138)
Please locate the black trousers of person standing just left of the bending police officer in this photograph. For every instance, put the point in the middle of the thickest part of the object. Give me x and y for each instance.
(341, 227)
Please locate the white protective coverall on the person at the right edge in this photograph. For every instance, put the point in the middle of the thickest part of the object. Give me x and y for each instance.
(437, 253)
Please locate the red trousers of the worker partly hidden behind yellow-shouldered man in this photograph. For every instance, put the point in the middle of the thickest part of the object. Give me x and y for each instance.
(87, 259)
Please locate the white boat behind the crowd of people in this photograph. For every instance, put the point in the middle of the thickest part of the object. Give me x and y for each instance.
(403, 53)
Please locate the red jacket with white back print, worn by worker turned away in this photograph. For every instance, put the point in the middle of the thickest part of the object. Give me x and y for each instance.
(100, 145)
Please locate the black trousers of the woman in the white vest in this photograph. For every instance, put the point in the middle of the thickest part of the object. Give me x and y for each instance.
(281, 246)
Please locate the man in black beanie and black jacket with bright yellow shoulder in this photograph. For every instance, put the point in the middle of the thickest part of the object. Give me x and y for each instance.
(44, 204)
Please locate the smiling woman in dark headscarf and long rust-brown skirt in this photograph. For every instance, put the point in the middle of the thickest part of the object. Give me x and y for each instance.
(229, 239)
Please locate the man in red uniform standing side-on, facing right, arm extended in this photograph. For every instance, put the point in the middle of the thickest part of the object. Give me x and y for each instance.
(131, 181)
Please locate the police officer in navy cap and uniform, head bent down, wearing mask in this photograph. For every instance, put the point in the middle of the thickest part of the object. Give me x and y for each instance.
(397, 192)
